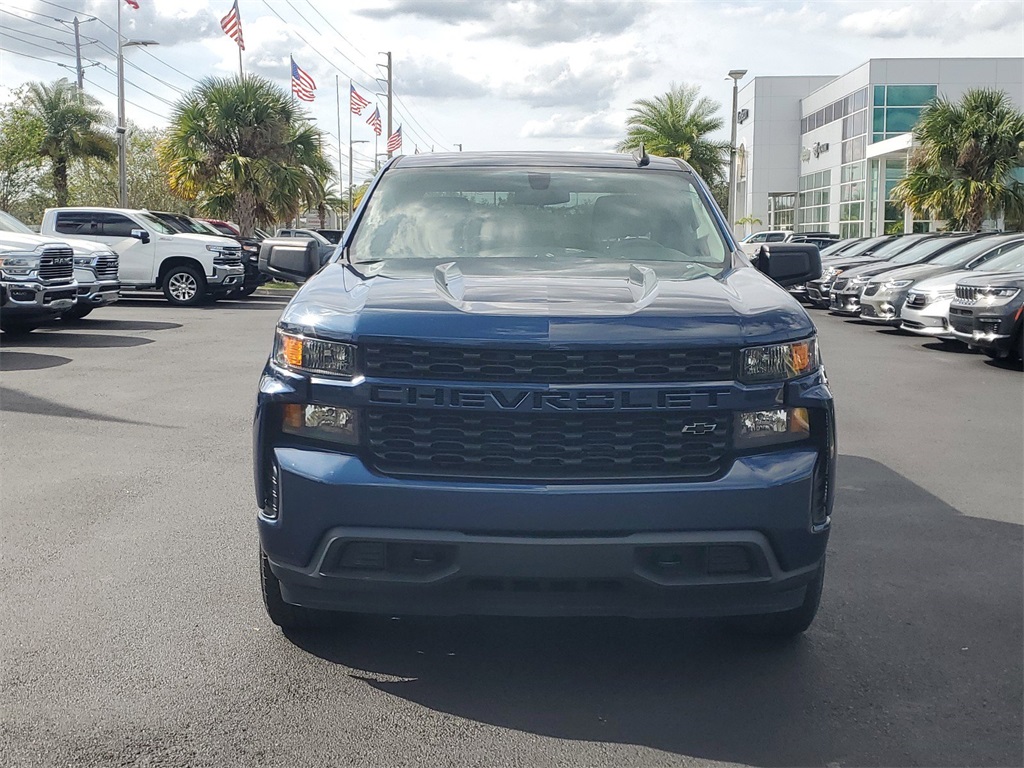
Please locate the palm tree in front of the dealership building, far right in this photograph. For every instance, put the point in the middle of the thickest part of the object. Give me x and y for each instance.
(963, 168)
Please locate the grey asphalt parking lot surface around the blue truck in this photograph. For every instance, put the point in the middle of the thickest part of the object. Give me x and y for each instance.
(134, 631)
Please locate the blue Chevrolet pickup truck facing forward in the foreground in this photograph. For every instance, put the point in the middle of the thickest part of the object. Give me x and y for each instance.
(544, 385)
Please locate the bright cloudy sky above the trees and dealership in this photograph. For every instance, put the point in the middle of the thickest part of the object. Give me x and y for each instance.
(494, 74)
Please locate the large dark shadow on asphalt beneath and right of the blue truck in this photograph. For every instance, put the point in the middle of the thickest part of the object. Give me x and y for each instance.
(915, 658)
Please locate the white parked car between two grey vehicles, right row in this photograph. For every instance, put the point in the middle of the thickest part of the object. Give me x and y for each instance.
(927, 308)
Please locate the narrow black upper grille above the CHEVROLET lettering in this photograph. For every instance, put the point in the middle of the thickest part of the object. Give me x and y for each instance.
(547, 366)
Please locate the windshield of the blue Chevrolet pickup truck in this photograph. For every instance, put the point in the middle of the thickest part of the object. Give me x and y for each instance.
(628, 216)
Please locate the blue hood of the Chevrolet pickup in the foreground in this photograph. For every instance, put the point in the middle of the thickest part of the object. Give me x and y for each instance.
(564, 302)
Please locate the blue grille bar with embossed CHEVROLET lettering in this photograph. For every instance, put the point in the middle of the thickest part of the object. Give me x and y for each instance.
(556, 400)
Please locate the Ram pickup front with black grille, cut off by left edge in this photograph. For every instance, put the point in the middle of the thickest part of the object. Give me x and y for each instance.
(37, 281)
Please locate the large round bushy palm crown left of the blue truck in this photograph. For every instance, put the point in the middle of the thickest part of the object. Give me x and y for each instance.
(244, 150)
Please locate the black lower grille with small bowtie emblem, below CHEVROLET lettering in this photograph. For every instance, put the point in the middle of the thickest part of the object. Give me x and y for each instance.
(546, 447)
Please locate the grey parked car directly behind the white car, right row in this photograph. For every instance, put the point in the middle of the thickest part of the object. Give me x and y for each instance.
(884, 296)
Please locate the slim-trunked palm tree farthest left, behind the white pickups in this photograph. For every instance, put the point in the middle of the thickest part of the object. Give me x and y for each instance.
(70, 119)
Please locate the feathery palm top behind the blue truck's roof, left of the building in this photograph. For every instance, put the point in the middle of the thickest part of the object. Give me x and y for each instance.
(676, 125)
